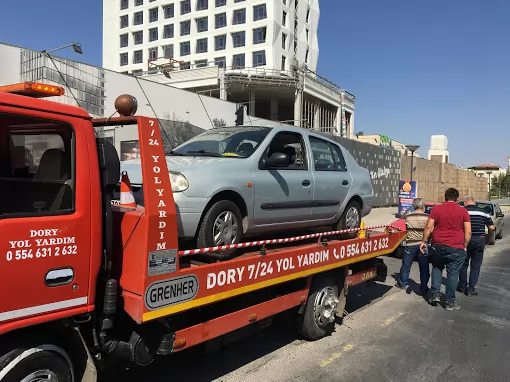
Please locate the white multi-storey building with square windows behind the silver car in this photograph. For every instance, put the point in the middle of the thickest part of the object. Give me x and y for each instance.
(259, 53)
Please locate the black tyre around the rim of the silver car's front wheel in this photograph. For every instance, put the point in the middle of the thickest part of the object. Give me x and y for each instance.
(205, 232)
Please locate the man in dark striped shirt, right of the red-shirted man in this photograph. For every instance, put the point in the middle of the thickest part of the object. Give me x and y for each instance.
(479, 220)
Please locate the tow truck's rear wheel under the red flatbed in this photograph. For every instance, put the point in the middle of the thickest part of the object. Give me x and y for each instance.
(318, 319)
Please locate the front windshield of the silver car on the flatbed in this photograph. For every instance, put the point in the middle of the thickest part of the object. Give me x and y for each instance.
(234, 142)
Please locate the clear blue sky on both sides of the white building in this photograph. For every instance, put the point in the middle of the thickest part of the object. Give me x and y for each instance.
(417, 68)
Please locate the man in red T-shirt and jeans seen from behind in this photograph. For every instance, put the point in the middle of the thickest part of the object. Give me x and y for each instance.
(452, 232)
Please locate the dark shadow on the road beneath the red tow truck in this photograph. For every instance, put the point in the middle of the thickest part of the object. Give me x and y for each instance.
(197, 365)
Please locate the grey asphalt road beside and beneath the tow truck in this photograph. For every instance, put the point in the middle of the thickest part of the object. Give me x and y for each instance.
(390, 335)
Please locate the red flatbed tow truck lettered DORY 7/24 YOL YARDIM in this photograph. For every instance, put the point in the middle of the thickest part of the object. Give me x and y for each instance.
(85, 281)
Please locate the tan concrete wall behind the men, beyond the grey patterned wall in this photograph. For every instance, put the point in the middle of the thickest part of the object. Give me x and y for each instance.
(433, 178)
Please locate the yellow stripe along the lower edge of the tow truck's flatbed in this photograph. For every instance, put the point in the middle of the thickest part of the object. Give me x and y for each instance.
(249, 288)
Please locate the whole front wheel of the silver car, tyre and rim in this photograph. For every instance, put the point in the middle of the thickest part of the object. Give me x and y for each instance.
(221, 225)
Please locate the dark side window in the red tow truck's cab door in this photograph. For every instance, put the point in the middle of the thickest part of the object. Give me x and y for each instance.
(38, 176)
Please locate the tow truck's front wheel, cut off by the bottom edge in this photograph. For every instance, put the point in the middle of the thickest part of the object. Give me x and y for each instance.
(37, 363)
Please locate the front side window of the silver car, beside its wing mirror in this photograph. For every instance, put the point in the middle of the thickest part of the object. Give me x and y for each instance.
(291, 144)
